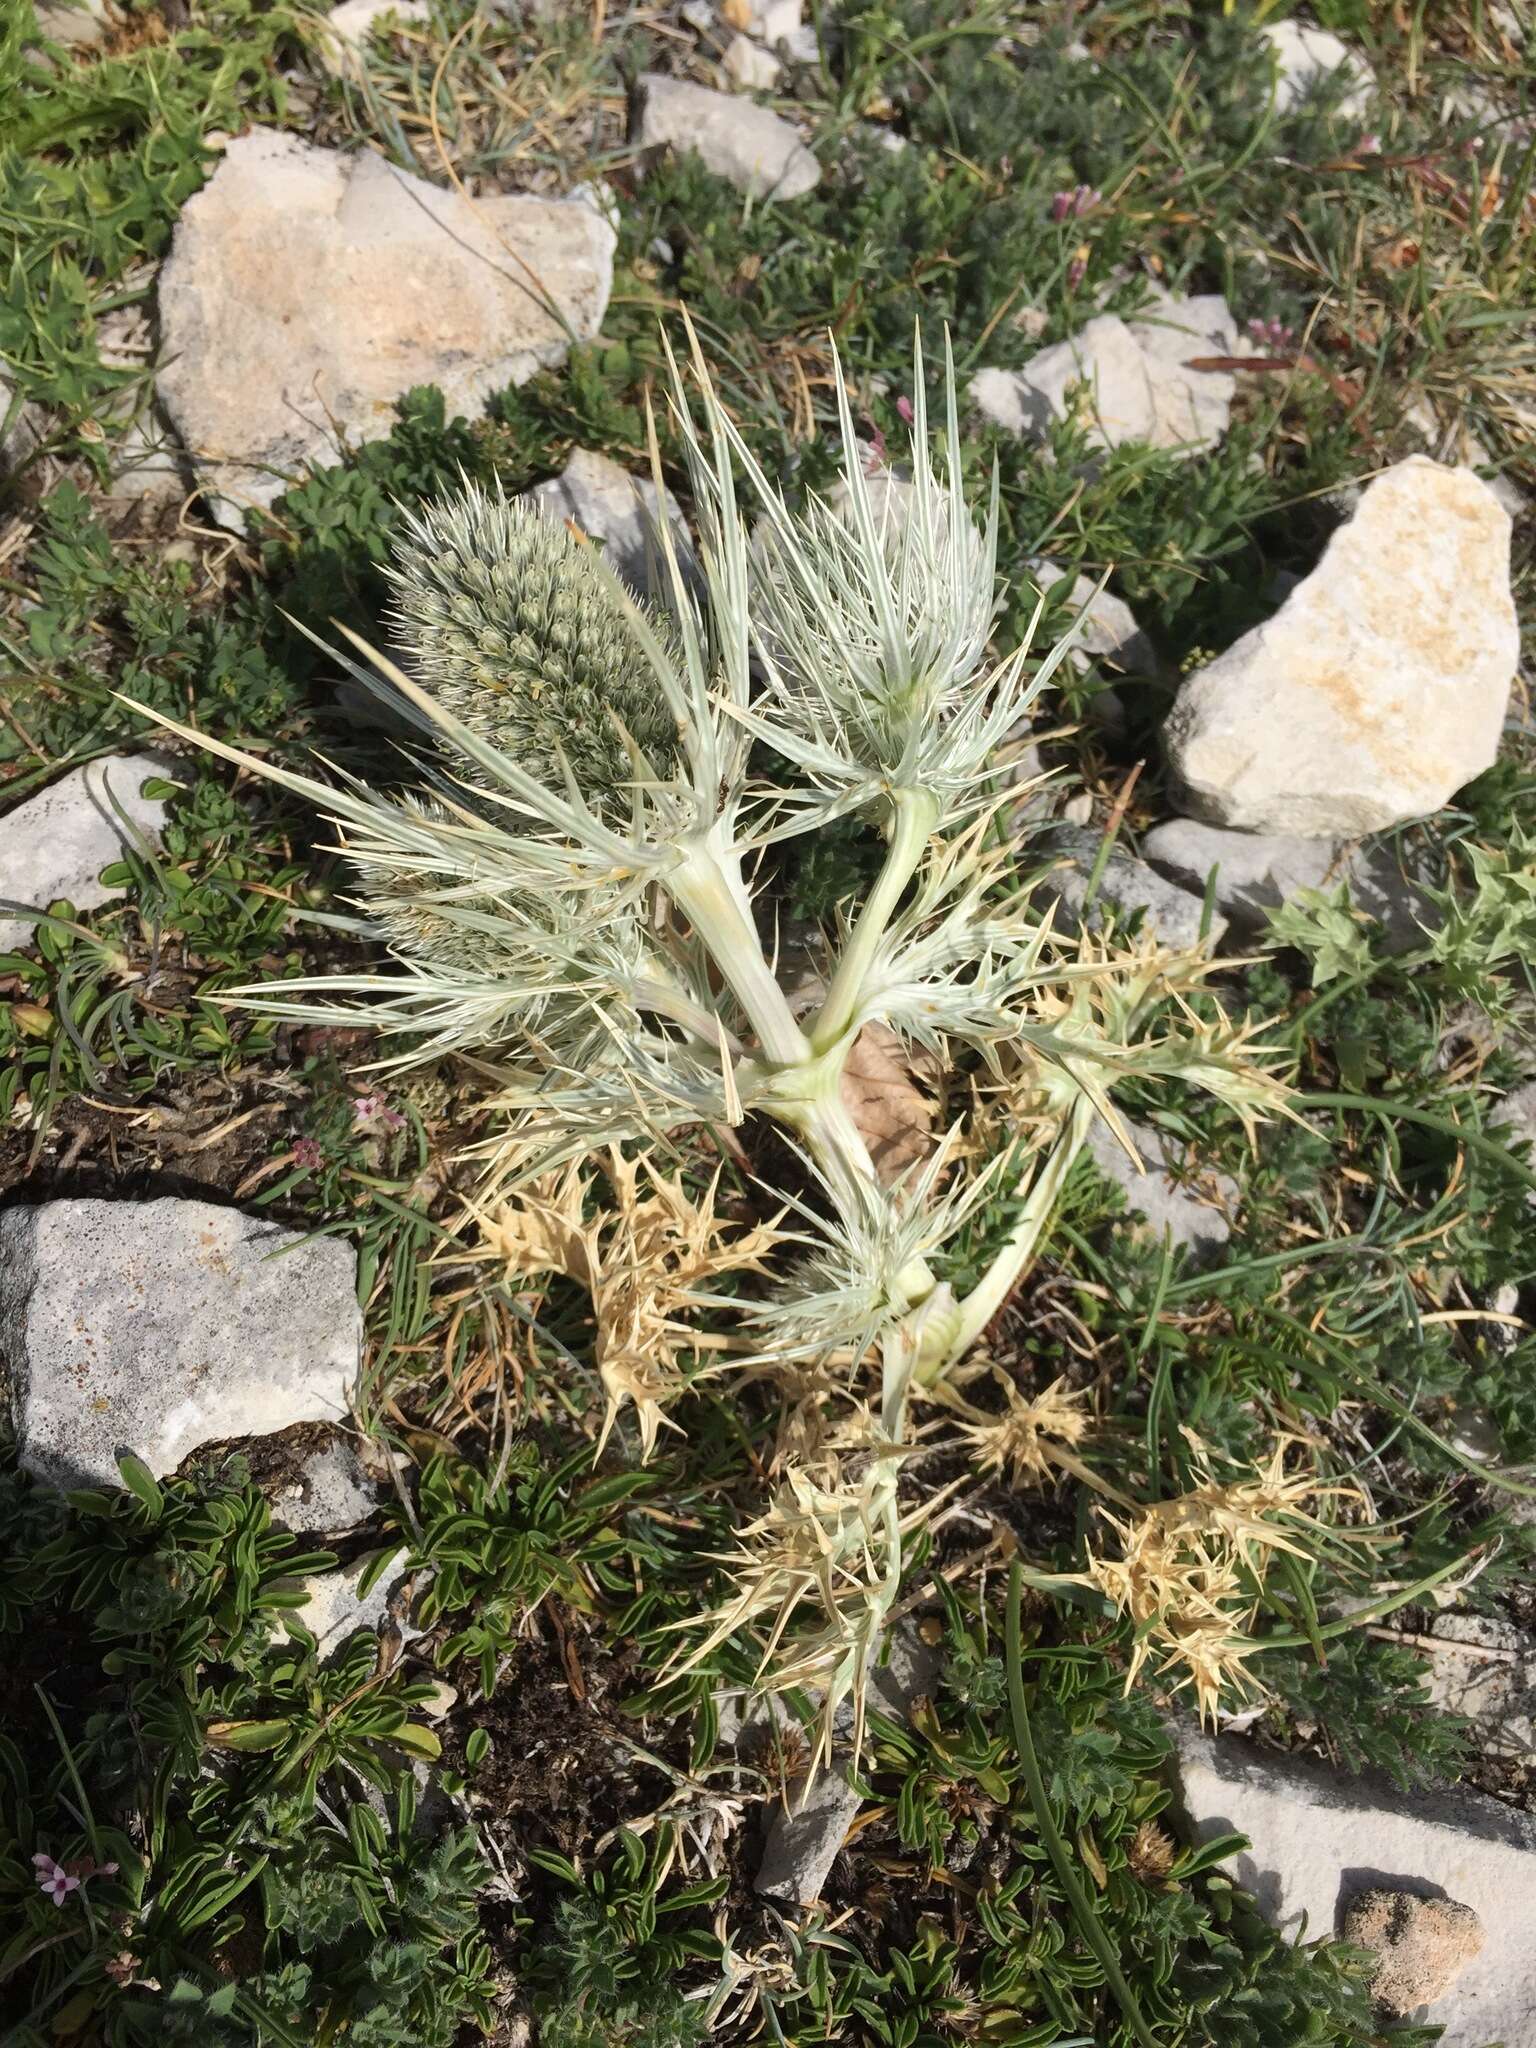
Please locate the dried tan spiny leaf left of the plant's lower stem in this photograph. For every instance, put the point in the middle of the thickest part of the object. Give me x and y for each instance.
(646, 1263)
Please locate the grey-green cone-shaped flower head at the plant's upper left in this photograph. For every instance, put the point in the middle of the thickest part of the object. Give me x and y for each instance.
(507, 620)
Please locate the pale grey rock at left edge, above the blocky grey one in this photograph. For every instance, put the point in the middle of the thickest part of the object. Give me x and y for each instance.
(56, 845)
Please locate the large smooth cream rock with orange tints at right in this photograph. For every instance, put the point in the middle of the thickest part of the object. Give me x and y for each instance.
(1379, 687)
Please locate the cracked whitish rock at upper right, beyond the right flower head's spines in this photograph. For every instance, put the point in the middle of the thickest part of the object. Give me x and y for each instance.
(1138, 374)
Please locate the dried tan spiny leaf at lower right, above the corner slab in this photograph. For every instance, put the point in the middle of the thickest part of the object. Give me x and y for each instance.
(1191, 1572)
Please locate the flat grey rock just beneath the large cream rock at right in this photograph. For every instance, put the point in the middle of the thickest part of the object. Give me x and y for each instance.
(1256, 873)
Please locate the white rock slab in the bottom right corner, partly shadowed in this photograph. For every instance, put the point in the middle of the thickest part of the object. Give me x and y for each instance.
(1320, 1840)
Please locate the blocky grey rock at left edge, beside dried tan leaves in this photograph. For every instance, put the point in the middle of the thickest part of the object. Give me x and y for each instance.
(165, 1326)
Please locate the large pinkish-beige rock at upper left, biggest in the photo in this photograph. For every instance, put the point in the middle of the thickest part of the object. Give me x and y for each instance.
(308, 290)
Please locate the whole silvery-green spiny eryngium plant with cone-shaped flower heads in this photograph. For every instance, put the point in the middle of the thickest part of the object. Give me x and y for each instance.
(570, 898)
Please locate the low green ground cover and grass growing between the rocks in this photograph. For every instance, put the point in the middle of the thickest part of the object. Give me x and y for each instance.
(519, 1811)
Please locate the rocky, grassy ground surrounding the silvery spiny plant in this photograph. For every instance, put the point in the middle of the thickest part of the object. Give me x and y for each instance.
(341, 1699)
